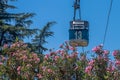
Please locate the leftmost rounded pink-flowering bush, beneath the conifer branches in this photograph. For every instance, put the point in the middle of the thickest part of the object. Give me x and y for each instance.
(17, 62)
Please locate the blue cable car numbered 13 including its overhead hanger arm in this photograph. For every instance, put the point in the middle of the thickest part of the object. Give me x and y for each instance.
(79, 29)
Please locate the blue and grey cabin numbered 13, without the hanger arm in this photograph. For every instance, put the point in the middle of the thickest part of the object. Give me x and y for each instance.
(79, 33)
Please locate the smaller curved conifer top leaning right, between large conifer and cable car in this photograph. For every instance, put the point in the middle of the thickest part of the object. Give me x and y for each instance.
(40, 38)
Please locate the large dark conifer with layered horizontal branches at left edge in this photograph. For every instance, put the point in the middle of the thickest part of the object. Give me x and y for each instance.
(13, 25)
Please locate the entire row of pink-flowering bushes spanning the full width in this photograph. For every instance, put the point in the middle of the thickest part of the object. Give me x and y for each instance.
(17, 62)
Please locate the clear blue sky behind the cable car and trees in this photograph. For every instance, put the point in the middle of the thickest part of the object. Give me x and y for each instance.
(61, 11)
